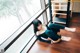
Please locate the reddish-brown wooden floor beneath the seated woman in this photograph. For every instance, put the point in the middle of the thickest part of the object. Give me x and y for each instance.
(72, 46)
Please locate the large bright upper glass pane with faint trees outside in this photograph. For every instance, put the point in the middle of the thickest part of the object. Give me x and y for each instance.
(14, 13)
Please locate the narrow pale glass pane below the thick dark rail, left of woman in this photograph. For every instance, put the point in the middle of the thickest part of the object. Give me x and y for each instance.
(19, 44)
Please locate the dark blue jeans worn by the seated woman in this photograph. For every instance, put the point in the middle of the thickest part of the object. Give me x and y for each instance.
(52, 31)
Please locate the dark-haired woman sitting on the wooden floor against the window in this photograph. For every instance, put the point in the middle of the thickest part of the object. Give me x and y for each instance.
(49, 34)
